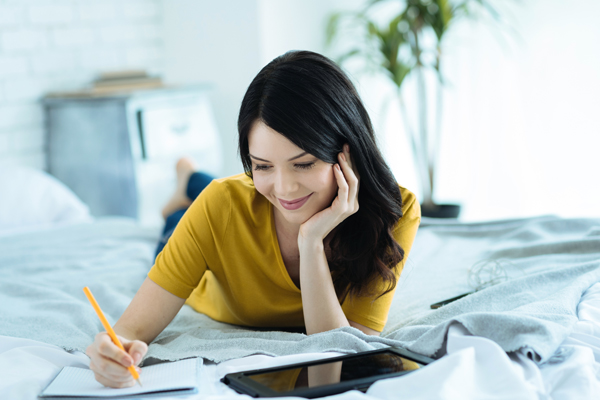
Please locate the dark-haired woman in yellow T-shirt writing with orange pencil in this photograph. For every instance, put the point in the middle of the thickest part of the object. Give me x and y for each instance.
(286, 243)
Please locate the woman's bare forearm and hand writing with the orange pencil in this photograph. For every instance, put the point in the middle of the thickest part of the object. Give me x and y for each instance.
(150, 311)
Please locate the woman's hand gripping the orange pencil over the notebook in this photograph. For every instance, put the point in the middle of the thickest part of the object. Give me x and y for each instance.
(110, 363)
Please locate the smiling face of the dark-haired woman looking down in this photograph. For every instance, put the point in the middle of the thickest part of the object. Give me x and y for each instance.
(297, 183)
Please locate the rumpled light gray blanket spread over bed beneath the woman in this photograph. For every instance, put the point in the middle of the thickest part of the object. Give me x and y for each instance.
(547, 262)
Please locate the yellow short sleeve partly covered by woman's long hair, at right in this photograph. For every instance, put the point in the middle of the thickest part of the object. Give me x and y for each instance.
(373, 313)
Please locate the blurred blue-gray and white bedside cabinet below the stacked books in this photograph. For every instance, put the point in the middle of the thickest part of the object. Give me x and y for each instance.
(118, 152)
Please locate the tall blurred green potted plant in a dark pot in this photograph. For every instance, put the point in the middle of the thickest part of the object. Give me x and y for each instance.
(409, 43)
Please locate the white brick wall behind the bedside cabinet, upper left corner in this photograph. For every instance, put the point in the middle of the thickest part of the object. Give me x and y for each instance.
(59, 45)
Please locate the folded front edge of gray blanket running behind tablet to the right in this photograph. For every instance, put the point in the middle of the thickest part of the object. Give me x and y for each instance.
(511, 314)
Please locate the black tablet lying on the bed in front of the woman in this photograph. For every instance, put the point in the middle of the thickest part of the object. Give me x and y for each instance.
(329, 376)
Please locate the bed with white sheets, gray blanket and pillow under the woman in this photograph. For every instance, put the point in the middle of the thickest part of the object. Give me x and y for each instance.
(531, 329)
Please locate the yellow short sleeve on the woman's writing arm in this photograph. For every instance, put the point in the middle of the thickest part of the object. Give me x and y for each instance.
(181, 264)
